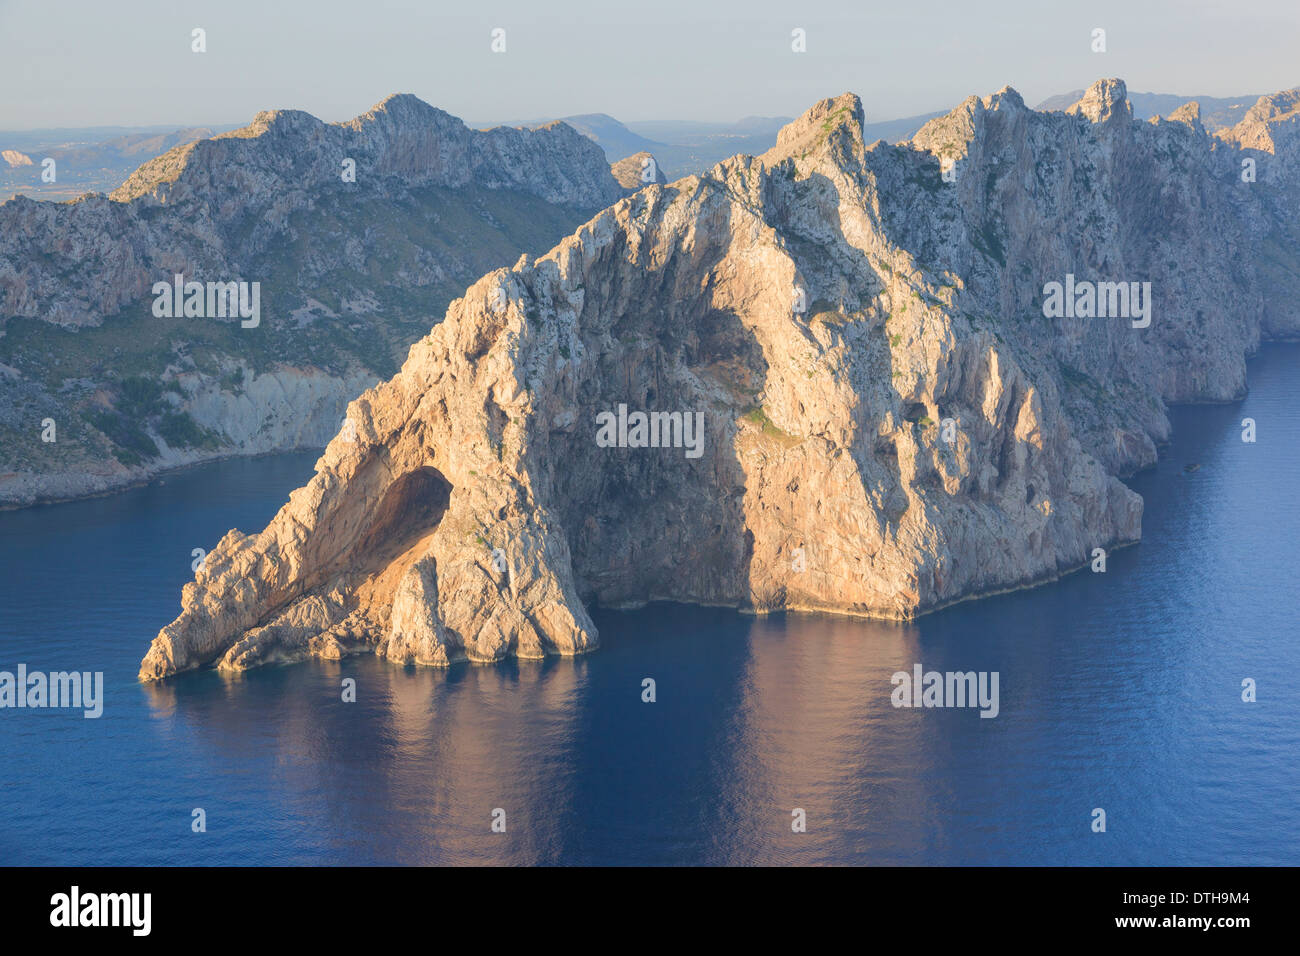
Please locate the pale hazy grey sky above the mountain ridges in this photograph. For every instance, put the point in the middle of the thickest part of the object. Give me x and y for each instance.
(98, 63)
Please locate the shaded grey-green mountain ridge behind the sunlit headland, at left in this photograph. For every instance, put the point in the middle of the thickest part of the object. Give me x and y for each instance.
(356, 233)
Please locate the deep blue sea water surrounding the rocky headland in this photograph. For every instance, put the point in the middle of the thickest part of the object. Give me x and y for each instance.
(1117, 691)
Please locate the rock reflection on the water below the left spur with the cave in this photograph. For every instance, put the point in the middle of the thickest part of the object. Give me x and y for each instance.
(409, 773)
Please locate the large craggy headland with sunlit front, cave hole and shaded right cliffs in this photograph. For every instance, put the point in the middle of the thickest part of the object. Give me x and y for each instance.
(877, 416)
